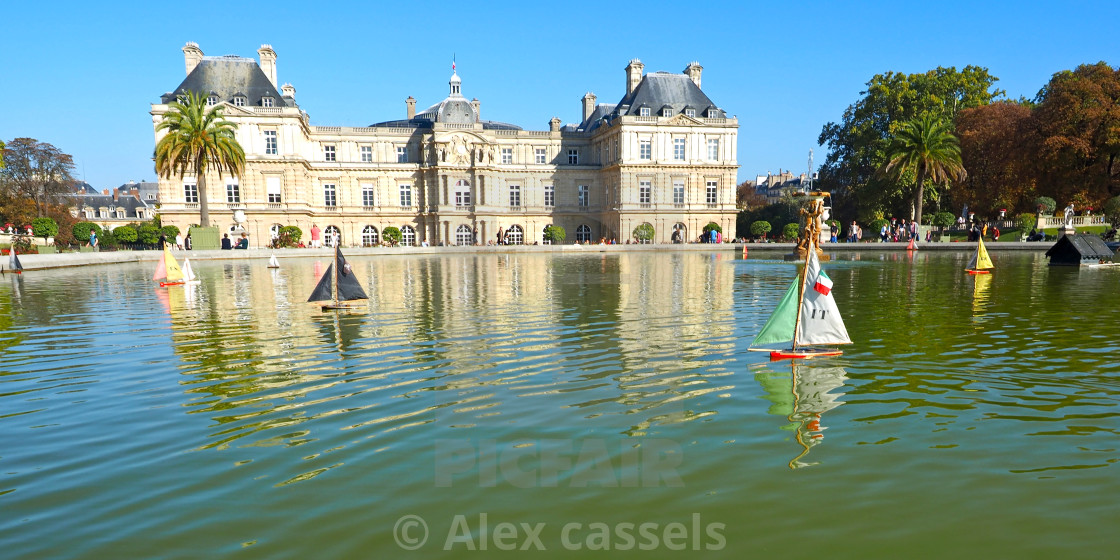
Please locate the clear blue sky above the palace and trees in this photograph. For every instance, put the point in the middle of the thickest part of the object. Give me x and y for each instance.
(82, 76)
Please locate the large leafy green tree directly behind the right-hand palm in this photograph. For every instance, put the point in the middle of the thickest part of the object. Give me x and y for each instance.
(857, 144)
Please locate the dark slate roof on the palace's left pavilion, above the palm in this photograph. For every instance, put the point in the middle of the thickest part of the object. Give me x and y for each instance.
(229, 77)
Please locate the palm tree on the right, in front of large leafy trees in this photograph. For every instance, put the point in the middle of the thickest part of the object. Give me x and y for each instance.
(927, 147)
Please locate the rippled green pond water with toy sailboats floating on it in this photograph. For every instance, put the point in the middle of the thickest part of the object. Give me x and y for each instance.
(601, 405)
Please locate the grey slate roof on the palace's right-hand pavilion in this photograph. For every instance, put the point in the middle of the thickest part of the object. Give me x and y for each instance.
(656, 90)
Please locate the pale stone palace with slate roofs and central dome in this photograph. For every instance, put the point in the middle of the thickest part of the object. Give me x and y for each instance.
(665, 155)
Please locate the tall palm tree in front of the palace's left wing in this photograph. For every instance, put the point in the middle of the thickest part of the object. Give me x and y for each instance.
(199, 138)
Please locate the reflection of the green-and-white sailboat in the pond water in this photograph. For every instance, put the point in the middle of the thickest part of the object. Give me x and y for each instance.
(802, 393)
